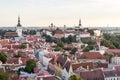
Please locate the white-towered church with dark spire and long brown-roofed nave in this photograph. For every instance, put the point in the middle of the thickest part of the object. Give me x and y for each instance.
(17, 33)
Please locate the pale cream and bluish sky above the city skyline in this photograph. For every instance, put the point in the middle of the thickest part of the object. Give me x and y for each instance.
(93, 13)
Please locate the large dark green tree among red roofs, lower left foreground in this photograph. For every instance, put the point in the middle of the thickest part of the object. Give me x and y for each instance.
(30, 65)
